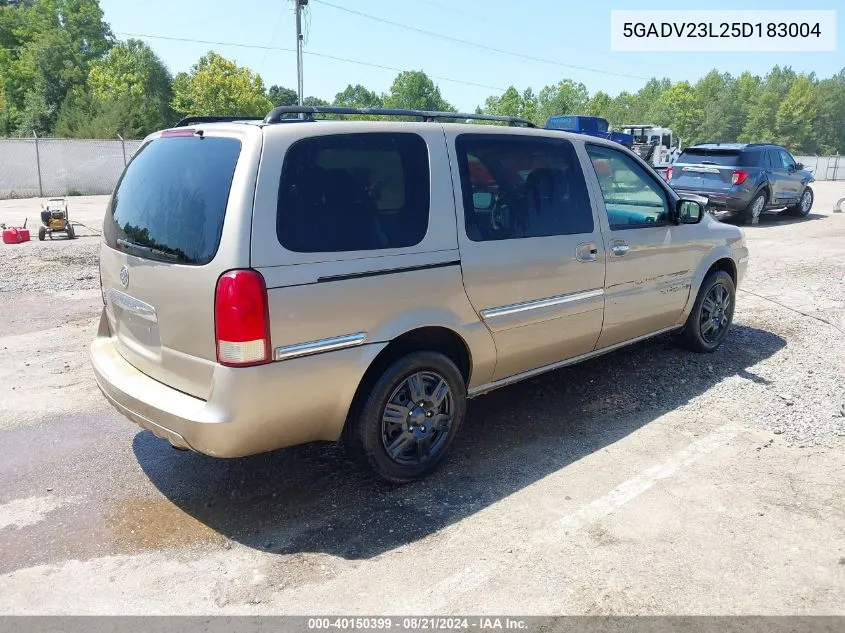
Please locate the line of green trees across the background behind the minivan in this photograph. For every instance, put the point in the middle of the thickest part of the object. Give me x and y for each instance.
(63, 73)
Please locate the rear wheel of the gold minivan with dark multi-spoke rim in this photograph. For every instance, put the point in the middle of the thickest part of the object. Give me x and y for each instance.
(407, 421)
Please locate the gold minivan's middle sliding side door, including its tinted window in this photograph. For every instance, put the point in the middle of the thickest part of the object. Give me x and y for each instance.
(531, 248)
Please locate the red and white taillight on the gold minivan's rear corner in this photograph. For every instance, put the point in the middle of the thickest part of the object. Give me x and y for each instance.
(241, 319)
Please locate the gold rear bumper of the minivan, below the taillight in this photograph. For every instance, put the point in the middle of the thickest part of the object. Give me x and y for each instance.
(251, 409)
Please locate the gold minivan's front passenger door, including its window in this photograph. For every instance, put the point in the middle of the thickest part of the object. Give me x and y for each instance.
(650, 260)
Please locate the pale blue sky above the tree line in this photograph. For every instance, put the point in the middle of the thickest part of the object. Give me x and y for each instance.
(566, 33)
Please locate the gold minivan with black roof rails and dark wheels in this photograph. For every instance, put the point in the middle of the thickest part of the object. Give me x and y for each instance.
(287, 280)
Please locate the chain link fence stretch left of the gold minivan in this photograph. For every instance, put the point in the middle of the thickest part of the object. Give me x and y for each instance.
(40, 167)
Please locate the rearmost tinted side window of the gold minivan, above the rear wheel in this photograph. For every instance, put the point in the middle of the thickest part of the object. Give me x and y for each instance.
(354, 192)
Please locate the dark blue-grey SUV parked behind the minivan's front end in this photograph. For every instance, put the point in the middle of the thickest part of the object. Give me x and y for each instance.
(743, 178)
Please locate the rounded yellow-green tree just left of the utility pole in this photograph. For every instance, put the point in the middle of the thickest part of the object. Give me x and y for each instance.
(218, 86)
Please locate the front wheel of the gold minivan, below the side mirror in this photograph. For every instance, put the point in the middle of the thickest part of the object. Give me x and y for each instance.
(712, 314)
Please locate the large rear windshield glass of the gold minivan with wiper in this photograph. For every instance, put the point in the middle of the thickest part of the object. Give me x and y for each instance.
(170, 202)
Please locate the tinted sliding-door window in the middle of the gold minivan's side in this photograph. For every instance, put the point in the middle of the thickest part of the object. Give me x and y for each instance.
(520, 187)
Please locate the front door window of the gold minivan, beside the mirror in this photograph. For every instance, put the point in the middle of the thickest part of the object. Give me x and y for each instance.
(632, 198)
